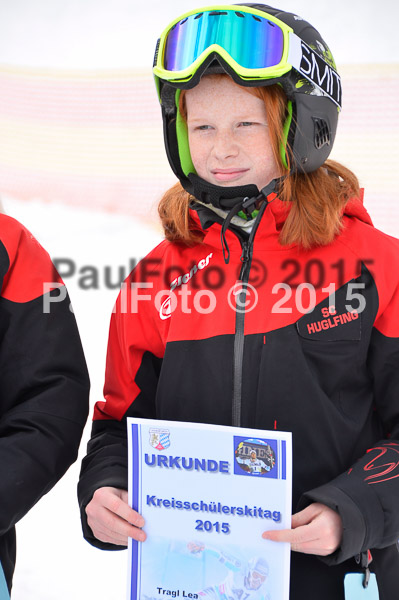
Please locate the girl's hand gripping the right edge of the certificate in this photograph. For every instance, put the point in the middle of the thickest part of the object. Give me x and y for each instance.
(315, 530)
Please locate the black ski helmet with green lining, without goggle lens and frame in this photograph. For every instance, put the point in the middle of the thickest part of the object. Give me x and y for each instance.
(312, 87)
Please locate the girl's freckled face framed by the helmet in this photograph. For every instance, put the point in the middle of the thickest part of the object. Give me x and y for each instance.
(228, 134)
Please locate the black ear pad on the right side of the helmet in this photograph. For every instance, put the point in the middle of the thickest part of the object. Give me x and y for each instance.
(318, 118)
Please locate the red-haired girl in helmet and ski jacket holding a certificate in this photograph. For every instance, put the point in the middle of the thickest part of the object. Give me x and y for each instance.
(273, 301)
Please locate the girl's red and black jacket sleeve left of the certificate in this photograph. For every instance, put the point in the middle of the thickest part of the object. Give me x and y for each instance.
(134, 359)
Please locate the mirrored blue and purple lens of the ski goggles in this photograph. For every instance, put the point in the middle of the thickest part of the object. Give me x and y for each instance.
(253, 42)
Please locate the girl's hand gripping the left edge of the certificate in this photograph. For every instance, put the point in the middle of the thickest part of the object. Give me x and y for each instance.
(111, 519)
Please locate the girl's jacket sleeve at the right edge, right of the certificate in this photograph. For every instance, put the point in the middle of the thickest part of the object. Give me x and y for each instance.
(367, 495)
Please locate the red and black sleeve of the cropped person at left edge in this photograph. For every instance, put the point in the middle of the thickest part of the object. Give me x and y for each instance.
(43, 376)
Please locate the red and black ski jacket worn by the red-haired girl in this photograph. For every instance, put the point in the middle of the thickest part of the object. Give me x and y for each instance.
(311, 346)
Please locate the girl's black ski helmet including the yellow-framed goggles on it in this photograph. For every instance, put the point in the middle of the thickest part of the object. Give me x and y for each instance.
(256, 45)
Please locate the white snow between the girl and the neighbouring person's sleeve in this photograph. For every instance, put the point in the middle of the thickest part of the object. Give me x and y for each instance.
(53, 560)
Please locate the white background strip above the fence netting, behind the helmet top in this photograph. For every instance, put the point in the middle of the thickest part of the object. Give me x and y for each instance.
(122, 33)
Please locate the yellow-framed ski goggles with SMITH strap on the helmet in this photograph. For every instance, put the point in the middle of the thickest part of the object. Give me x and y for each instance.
(254, 44)
